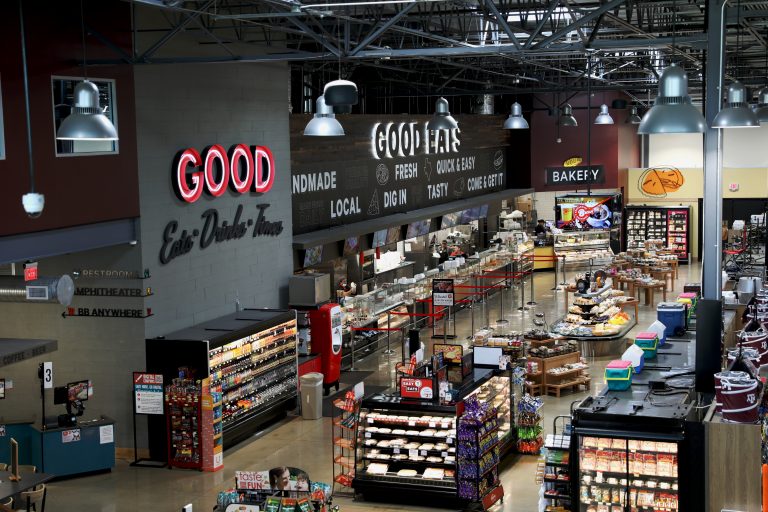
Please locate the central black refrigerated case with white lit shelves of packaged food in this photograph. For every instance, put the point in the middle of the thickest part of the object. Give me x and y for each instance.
(408, 448)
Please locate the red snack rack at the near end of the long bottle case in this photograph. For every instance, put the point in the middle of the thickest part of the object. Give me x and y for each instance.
(183, 406)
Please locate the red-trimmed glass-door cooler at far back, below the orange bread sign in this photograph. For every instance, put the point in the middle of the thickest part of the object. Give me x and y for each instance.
(671, 224)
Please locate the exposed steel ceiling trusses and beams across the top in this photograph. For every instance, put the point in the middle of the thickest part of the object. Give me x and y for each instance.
(458, 47)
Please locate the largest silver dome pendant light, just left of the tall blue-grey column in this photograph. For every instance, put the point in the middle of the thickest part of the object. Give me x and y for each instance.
(672, 111)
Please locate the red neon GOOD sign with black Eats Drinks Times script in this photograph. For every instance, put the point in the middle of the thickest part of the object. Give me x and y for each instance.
(243, 169)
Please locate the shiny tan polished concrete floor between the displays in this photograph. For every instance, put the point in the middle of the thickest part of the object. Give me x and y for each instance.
(307, 443)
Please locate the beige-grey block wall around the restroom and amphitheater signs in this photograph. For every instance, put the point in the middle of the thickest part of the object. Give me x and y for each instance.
(104, 350)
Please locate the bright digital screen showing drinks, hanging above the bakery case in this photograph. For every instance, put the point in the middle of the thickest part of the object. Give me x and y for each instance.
(595, 212)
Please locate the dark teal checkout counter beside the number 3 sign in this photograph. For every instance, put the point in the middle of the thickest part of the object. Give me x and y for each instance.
(85, 448)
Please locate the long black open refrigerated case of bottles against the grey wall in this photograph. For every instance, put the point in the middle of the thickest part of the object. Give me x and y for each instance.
(251, 355)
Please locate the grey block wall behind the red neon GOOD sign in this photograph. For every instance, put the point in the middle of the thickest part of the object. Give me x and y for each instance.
(183, 106)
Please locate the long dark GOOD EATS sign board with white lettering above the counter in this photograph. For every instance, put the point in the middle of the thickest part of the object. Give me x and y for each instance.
(392, 165)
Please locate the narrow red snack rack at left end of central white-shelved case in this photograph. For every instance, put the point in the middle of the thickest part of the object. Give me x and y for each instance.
(345, 418)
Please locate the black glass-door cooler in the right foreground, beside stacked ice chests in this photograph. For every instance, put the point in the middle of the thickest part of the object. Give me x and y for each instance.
(632, 459)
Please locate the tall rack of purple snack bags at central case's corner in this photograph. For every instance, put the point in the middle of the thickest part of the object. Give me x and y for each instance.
(478, 453)
